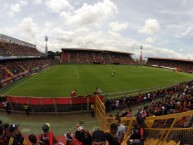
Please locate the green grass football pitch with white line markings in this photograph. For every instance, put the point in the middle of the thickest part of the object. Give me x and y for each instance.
(60, 80)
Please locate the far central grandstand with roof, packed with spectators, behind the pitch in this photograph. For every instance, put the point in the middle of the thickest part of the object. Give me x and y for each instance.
(95, 56)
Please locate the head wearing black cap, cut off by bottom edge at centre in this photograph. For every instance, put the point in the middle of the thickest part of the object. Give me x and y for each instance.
(98, 138)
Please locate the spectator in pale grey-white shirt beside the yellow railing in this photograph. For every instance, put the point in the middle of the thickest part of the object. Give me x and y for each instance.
(121, 129)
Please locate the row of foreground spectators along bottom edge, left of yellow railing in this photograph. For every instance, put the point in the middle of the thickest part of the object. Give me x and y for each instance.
(11, 135)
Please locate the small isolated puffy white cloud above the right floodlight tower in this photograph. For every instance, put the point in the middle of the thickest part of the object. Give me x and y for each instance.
(151, 26)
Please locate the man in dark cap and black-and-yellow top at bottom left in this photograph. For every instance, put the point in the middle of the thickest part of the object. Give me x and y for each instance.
(16, 137)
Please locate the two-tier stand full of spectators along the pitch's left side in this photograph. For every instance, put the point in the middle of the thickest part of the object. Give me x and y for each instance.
(19, 59)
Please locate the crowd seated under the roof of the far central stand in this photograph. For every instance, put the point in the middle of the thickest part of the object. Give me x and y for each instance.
(96, 57)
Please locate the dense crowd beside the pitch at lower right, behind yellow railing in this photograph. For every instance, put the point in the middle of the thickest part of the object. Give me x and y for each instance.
(168, 102)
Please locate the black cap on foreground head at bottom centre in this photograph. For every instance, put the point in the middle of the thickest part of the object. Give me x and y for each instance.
(98, 136)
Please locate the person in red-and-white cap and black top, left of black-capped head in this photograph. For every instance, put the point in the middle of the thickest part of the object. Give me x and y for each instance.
(83, 136)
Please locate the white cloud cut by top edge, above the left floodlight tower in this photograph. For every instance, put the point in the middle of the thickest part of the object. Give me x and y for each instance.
(58, 6)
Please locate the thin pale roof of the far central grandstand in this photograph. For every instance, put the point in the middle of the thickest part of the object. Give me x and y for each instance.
(99, 50)
